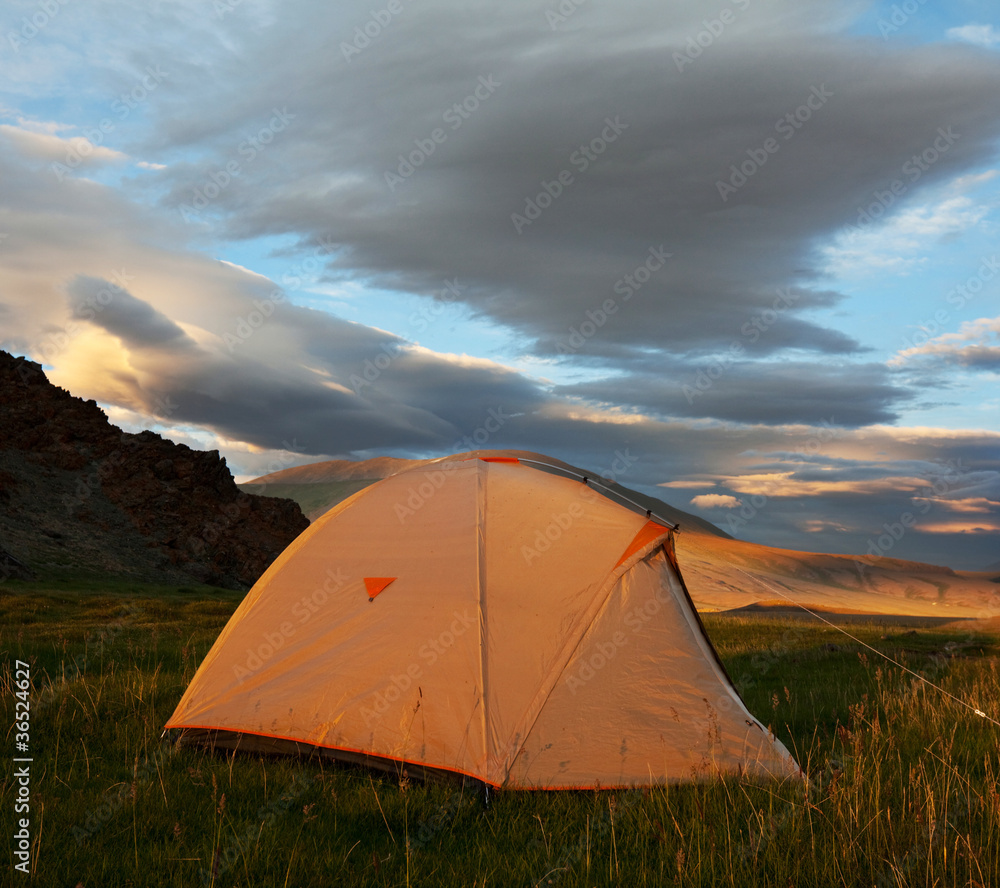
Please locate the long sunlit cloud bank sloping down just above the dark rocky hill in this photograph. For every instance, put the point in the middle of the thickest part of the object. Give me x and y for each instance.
(163, 332)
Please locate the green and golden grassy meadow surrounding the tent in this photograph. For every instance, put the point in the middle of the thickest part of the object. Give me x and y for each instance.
(903, 787)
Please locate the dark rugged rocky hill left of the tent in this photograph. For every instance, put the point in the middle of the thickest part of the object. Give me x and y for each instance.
(77, 493)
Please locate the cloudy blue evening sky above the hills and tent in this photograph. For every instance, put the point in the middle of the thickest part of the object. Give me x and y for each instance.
(742, 256)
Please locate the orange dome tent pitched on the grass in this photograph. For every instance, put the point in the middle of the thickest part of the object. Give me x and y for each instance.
(486, 616)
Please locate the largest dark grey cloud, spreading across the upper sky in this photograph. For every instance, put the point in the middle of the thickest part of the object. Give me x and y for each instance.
(679, 133)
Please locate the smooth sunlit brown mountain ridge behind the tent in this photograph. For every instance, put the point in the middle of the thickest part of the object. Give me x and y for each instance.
(720, 572)
